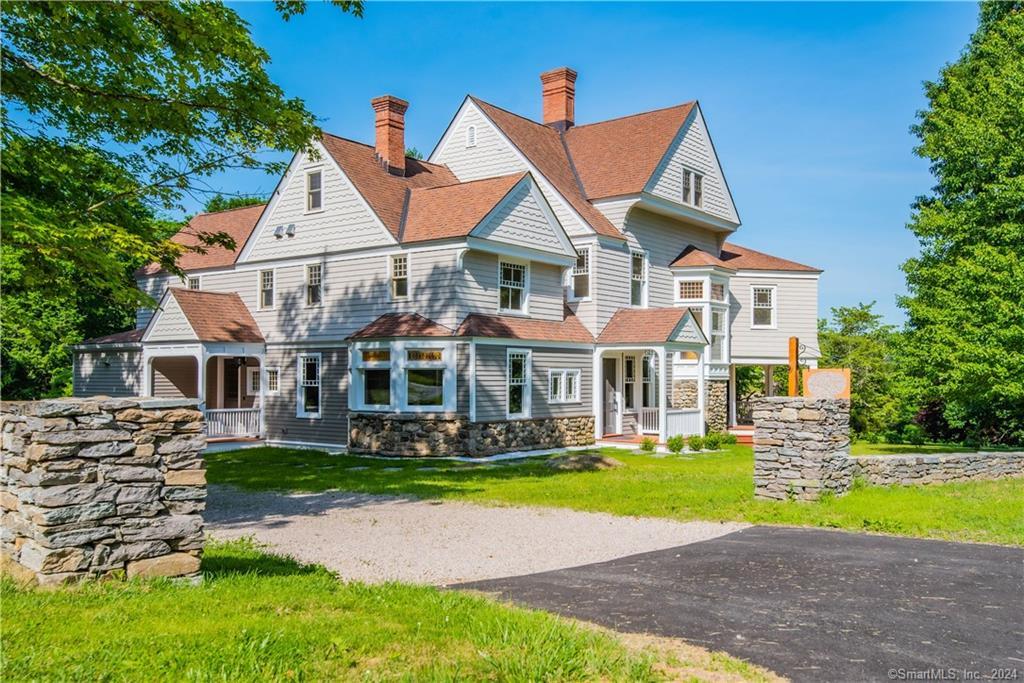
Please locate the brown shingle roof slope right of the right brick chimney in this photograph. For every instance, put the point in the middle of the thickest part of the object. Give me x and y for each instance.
(620, 156)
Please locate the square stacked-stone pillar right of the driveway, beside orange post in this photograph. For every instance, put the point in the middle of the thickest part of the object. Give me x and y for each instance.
(801, 448)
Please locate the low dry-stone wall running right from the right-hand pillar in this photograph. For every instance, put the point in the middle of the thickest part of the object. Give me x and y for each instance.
(938, 468)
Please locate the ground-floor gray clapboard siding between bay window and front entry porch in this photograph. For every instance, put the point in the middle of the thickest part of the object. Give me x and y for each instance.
(492, 400)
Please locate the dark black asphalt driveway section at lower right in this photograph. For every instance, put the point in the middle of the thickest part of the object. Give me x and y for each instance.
(809, 605)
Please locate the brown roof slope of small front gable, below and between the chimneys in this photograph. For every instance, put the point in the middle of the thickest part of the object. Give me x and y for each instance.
(453, 211)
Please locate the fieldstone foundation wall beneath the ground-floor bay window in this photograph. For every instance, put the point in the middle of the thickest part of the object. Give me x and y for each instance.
(455, 436)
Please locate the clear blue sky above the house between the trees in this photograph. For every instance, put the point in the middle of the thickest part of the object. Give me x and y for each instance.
(809, 105)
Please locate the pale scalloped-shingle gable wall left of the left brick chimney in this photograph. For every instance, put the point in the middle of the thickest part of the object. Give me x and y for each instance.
(346, 222)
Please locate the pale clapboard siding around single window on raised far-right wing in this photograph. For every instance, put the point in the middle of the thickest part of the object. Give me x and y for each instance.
(797, 309)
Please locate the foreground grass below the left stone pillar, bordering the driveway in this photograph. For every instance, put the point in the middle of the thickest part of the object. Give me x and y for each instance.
(258, 617)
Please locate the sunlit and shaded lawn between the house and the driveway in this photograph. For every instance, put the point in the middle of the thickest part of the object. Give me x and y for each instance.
(714, 487)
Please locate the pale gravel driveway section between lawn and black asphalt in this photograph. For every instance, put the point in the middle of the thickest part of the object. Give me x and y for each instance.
(377, 538)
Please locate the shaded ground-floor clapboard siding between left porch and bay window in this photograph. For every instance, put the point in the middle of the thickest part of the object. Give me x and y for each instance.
(332, 426)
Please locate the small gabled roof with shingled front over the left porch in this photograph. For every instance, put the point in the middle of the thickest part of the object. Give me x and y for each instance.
(211, 317)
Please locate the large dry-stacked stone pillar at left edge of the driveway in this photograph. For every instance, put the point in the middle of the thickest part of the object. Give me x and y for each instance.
(102, 488)
